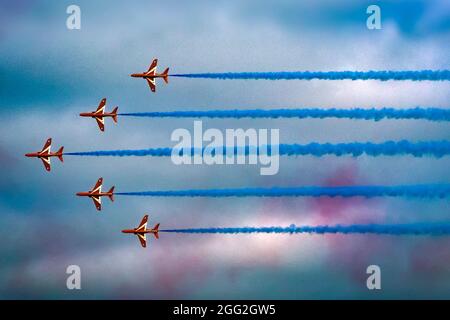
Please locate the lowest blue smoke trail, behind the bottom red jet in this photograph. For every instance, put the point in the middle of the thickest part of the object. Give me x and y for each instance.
(389, 229)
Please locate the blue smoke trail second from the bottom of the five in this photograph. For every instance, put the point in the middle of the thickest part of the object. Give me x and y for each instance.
(418, 191)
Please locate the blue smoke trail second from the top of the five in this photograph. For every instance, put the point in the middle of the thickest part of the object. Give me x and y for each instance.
(431, 114)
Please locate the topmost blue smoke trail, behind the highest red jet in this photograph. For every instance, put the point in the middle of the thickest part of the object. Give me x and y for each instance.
(420, 75)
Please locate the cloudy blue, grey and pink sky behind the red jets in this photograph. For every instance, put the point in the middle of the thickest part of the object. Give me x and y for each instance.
(49, 74)
